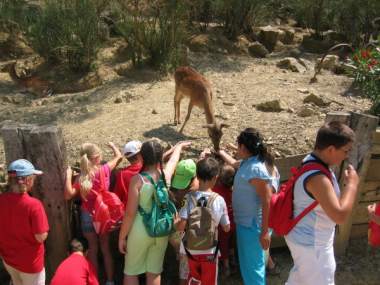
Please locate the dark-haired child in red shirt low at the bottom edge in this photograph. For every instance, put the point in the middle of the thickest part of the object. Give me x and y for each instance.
(76, 269)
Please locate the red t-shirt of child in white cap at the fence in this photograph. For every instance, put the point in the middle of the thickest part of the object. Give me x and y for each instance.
(123, 178)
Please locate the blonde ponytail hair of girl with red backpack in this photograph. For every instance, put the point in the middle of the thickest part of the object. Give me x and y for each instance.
(87, 168)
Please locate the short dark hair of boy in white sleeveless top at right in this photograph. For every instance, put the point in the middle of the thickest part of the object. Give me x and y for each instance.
(334, 134)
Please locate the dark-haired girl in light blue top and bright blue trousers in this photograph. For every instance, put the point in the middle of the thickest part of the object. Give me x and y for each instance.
(255, 178)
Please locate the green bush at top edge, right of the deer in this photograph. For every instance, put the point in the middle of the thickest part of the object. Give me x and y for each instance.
(238, 16)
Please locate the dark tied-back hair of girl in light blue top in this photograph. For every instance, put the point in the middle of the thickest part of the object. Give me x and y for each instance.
(254, 143)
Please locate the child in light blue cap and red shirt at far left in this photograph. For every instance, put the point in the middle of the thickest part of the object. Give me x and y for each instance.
(24, 226)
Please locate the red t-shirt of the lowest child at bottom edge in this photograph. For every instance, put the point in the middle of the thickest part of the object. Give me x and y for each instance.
(75, 269)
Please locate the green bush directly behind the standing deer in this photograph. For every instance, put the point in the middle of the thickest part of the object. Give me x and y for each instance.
(154, 31)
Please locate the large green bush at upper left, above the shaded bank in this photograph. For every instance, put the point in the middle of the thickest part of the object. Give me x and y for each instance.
(67, 31)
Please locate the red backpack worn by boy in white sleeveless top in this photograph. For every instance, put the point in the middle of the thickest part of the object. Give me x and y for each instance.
(281, 218)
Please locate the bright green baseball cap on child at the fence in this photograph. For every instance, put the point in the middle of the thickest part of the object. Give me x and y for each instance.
(184, 173)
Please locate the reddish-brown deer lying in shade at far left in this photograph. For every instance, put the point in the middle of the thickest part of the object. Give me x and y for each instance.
(31, 84)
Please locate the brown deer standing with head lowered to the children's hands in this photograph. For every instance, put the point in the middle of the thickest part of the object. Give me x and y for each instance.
(190, 83)
